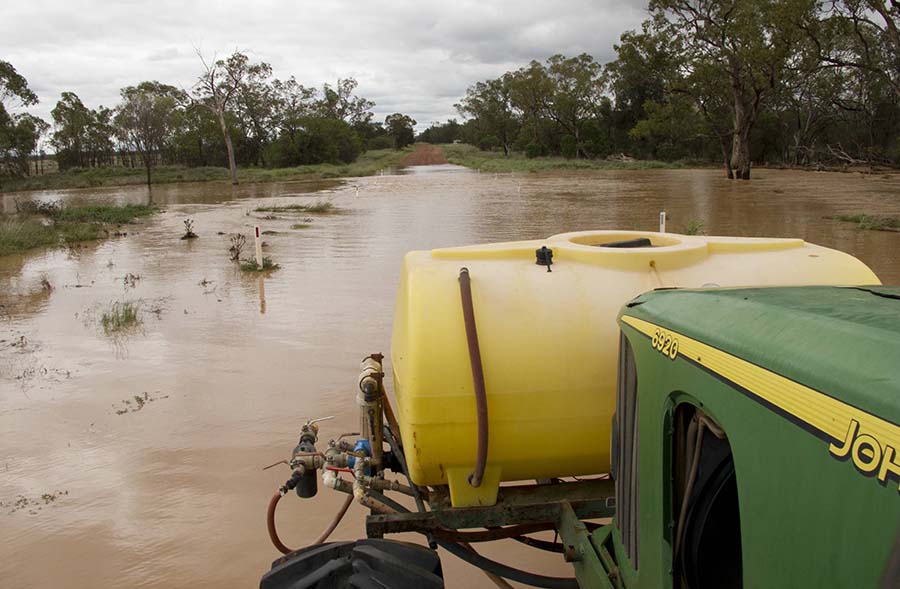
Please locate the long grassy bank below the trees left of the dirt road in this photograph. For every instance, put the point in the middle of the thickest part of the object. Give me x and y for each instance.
(368, 164)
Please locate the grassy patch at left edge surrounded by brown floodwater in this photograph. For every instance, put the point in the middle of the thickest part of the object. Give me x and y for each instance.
(50, 225)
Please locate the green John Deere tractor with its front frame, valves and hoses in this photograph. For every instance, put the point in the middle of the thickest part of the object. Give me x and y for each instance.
(754, 444)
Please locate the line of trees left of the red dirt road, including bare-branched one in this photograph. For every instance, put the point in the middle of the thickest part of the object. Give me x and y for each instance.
(236, 114)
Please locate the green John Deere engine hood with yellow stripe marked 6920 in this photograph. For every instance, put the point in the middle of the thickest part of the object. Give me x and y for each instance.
(755, 440)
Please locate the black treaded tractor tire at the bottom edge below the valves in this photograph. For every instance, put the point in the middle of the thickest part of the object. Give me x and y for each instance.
(364, 564)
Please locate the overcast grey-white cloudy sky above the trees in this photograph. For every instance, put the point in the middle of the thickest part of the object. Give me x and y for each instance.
(411, 57)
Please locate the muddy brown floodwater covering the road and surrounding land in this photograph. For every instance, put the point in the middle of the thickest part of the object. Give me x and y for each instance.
(100, 489)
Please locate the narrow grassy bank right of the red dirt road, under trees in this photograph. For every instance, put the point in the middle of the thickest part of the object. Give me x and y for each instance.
(490, 161)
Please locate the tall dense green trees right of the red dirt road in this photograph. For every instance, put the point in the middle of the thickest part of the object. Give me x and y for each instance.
(799, 82)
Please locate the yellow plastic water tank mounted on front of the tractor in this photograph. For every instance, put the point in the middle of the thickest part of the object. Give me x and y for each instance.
(549, 343)
